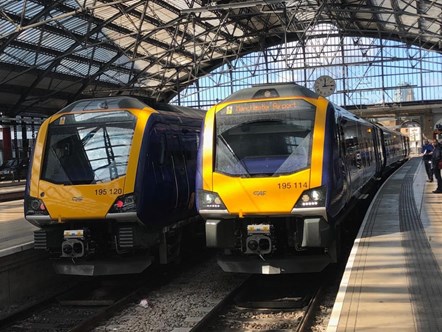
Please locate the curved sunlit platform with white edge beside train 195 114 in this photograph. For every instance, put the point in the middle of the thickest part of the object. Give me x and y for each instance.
(393, 280)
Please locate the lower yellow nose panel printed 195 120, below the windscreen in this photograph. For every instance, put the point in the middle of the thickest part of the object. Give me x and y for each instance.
(81, 201)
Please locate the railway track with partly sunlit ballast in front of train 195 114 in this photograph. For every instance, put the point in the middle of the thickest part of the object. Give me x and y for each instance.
(282, 303)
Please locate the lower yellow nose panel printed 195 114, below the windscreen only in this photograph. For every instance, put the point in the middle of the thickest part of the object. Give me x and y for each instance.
(261, 196)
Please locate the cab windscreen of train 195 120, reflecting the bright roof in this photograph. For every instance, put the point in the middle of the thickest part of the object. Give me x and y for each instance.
(88, 148)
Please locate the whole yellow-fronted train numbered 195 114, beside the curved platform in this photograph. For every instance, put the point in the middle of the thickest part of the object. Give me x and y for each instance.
(278, 166)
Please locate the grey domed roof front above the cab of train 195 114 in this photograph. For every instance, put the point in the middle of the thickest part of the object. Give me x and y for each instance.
(272, 90)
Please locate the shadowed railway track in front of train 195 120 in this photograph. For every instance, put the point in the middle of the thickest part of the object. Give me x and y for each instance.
(78, 309)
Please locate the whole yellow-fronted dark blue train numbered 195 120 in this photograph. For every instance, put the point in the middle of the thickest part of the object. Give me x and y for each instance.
(111, 184)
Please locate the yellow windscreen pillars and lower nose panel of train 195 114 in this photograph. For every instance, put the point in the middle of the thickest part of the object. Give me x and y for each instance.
(269, 195)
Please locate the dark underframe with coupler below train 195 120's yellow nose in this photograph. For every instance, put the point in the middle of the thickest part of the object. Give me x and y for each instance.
(108, 248)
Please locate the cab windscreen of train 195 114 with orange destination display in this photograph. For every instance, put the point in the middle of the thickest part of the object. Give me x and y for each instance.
(264, 138)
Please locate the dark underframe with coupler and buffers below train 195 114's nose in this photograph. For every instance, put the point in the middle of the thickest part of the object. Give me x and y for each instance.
(273, 245)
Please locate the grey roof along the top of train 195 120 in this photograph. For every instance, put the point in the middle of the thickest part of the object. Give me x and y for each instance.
(124, 102)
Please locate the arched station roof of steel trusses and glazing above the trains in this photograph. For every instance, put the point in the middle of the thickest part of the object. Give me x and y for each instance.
(54, 52)
